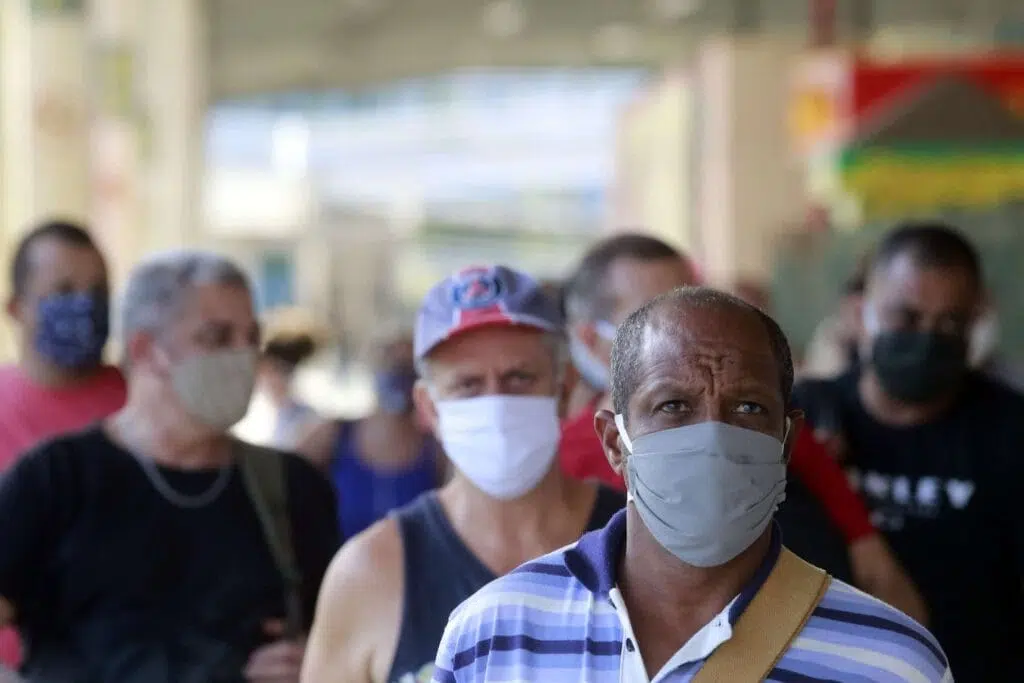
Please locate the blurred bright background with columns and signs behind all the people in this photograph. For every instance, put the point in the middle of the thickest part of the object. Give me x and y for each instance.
(352, 153)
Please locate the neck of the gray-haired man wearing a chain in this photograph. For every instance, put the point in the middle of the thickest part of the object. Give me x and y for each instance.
(162, 436)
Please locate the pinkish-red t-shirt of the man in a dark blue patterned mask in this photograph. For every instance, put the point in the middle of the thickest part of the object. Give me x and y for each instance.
(30, 414)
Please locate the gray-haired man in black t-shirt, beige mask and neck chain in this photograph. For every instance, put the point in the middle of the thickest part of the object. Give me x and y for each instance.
(135, 551)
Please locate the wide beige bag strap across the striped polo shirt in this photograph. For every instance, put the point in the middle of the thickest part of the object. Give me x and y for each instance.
(771, 623)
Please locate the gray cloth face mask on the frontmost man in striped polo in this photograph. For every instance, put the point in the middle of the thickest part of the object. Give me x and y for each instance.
(706, 492)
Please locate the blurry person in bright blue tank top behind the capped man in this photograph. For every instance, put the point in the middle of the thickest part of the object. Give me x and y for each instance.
(386, 460)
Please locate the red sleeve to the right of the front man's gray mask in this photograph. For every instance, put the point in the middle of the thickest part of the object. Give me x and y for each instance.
(825, 479)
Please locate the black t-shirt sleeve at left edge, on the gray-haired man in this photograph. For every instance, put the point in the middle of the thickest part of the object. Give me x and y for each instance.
(30, 504)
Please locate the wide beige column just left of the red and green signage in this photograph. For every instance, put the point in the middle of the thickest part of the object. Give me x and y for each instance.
(751, 188)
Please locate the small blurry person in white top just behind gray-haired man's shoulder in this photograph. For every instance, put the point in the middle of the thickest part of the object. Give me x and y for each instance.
(283, 356)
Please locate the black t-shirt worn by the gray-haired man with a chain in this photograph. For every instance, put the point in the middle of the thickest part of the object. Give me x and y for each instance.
(112, 580)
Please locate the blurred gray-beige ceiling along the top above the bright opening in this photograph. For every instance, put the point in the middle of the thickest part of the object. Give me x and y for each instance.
(261, 47)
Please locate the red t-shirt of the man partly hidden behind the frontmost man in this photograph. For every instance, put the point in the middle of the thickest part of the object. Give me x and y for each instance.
(583, 457)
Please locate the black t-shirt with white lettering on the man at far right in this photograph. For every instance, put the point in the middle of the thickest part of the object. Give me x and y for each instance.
(948, 496)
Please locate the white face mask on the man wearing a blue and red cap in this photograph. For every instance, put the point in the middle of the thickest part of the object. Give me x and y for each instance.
(504, 445)
